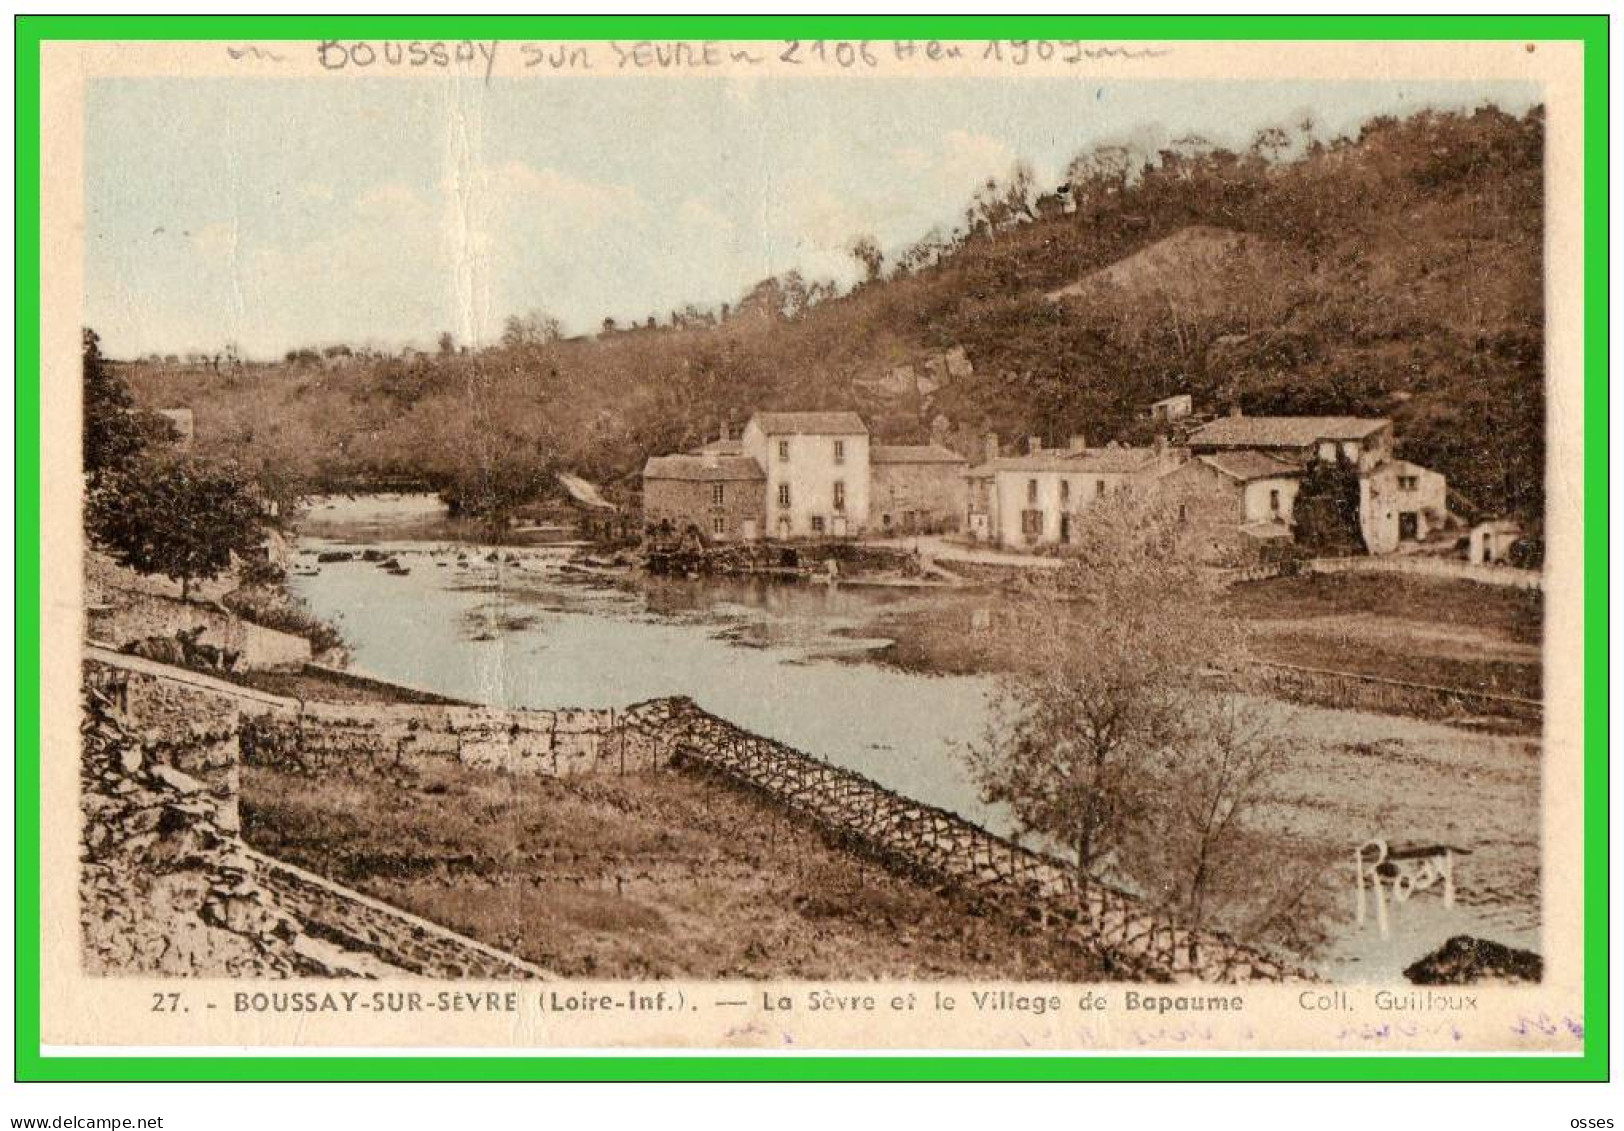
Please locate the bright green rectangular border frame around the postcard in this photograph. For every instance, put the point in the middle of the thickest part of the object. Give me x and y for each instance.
(1591, 30)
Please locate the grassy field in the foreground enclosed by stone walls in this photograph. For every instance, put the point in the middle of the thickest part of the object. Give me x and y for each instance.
(629, 877)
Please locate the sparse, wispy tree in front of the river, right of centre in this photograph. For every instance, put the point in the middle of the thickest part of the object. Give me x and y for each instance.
(1102, 664)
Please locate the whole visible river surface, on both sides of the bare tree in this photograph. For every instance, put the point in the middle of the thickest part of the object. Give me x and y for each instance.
(800, 664)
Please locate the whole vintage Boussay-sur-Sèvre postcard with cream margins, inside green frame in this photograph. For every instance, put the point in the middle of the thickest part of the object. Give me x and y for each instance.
(1045, 547)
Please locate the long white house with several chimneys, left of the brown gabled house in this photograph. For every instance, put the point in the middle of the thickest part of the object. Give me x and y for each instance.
(1037, 500)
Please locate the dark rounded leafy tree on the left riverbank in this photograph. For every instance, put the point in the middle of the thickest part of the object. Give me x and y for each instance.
(178, 518)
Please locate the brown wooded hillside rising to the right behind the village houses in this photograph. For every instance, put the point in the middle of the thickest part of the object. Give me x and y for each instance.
(1394, 274)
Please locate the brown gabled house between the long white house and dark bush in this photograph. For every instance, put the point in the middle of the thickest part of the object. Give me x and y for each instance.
(1232, 506)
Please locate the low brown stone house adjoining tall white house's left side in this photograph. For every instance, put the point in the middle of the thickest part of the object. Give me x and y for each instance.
(709, 495)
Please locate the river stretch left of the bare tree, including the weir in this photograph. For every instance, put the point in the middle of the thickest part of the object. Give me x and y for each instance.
(784, 661)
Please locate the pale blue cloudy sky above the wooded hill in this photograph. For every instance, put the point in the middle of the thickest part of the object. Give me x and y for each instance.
(282, 214)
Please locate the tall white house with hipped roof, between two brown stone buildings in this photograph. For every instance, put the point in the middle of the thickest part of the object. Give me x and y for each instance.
(818, 474)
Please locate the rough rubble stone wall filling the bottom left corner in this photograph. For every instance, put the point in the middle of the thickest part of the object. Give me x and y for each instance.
(166, 885)
